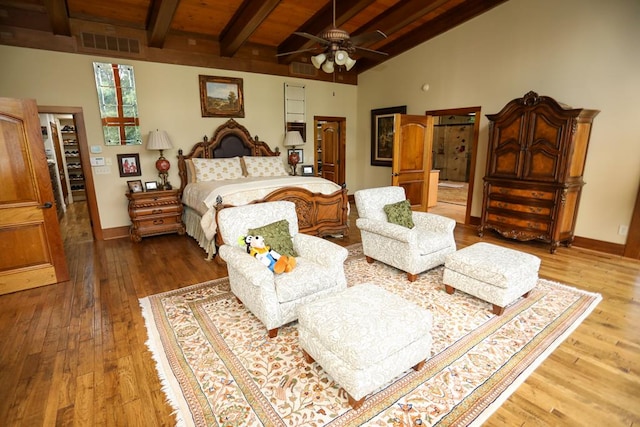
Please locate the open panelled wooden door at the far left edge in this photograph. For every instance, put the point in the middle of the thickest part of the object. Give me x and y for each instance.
(30, 240)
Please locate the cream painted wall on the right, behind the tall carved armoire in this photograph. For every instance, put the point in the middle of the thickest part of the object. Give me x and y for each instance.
(581, 52)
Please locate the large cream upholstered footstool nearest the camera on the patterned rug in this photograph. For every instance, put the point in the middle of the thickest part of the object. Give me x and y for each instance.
(364, 337)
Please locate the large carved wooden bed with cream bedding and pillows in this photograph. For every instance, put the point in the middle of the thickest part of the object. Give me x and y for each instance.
(233, 168)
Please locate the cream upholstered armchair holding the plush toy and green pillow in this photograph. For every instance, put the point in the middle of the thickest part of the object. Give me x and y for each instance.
(274, 298)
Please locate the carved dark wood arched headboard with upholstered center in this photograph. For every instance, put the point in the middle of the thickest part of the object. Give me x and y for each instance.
(230, 139)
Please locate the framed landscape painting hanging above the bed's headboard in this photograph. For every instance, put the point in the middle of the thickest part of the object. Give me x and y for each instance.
(221, 96)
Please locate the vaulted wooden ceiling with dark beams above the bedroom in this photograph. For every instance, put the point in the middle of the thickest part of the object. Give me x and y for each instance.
(243, 35)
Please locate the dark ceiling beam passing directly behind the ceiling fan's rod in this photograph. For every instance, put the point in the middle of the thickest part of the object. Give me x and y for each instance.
(322, 20)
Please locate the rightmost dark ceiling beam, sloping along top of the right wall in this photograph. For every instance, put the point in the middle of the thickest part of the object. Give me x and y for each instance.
(447, 21)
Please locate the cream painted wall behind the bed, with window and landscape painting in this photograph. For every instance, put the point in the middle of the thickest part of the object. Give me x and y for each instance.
(168, 98)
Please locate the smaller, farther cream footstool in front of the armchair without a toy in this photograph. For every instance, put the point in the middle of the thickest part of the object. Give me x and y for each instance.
(492, 273)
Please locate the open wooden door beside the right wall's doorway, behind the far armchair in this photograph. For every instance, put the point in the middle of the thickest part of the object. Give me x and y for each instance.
(411, 165)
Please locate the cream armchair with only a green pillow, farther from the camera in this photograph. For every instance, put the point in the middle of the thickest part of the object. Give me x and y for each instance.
(412, 250)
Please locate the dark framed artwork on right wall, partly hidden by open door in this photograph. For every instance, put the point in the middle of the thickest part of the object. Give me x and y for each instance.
(382, 128)
